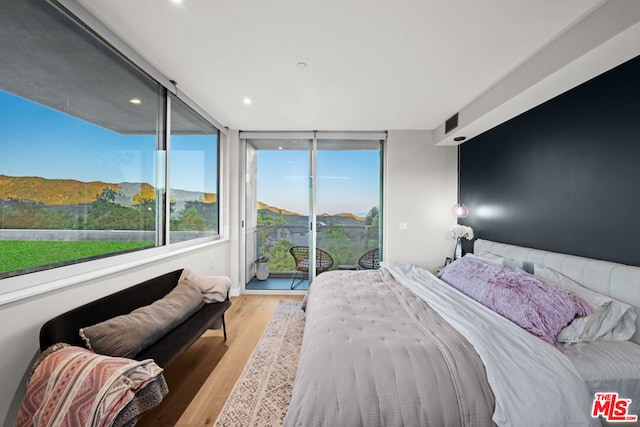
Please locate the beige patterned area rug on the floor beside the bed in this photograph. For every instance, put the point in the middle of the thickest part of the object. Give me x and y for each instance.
(262, 393)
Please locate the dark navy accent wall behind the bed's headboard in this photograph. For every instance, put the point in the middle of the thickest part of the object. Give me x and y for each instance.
(564, 176)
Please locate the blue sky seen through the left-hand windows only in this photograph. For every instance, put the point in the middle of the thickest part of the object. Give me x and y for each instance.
(39, 141)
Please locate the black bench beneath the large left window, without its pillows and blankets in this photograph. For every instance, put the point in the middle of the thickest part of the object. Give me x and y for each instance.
(65, 327)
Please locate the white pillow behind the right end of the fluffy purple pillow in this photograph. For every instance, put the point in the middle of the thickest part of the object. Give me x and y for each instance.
(610, 320)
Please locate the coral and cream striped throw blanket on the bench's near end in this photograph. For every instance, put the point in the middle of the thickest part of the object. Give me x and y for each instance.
(72, 386)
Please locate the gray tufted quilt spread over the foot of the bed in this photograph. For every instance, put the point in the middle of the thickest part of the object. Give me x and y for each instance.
(426, 373)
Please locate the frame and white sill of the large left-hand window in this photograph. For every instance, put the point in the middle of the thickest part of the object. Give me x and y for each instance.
(17, 287)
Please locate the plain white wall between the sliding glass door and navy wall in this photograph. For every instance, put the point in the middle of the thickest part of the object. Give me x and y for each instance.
(420, 190)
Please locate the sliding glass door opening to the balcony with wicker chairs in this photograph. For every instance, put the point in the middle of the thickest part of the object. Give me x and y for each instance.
(318, 193)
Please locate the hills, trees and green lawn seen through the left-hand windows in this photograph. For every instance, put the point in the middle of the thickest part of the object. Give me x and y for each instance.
(50, 222)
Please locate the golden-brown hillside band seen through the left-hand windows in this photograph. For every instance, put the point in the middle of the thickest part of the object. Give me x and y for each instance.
(61, 192)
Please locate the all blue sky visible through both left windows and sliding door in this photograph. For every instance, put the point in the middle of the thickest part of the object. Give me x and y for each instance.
(38, 141)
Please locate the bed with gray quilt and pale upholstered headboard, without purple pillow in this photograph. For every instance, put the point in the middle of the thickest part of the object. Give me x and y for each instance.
(399, 346)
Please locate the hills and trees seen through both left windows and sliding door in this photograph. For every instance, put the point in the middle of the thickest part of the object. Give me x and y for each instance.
(38, 203)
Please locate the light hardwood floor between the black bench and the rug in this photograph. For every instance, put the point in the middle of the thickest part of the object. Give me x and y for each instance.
(201, 379)
